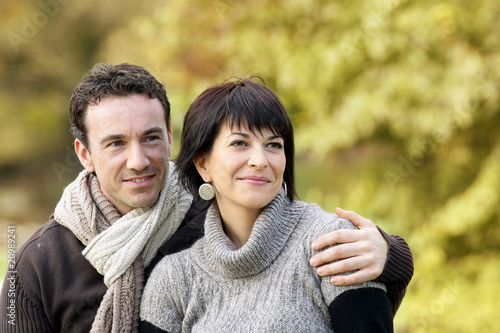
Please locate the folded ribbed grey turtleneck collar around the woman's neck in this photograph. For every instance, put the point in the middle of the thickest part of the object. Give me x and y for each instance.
(269, 235)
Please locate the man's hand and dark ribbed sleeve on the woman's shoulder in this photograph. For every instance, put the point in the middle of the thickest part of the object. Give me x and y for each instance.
(369, 250)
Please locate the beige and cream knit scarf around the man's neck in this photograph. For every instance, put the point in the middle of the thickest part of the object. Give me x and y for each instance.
(120, 247)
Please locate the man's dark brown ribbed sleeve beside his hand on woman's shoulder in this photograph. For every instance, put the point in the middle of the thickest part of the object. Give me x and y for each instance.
(398, 269)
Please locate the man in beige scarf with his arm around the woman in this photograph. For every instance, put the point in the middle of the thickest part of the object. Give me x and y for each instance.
(85, 269)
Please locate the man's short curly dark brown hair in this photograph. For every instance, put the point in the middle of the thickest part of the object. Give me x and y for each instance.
(112, 80)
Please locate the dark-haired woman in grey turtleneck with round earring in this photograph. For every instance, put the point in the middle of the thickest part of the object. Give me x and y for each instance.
(251, 272)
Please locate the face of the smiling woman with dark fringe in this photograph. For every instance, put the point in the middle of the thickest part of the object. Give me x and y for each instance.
(245, 168)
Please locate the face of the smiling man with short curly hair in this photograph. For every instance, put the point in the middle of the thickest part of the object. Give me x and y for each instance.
(128, 148)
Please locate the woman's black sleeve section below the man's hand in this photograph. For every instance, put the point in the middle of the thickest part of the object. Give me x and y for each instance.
(361, 310)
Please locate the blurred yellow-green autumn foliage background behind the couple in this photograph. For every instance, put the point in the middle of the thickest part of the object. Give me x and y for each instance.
(395, 106)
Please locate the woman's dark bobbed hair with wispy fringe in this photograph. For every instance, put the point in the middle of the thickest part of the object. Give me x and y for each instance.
(239, 102)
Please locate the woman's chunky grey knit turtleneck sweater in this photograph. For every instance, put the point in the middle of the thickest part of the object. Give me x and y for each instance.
(265, 286)
